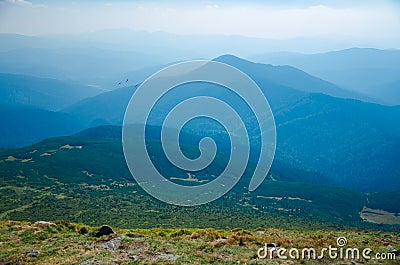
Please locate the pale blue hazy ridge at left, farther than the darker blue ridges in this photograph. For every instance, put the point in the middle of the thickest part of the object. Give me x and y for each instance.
(87, 65)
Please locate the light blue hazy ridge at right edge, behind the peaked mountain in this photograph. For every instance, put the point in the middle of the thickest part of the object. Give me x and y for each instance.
(363, 70)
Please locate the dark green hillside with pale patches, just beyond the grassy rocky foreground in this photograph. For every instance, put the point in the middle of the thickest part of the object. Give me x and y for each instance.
(85, 179)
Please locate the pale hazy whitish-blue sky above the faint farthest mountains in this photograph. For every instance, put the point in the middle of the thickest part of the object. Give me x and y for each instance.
(266, 19)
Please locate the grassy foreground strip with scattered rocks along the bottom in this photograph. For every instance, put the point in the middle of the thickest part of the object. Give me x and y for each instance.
(68, 243)
